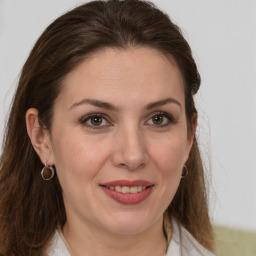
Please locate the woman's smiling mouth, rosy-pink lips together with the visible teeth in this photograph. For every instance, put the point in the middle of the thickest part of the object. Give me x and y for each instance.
(128, 192)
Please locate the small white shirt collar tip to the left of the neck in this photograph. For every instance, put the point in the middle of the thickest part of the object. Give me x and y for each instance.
(57, 246)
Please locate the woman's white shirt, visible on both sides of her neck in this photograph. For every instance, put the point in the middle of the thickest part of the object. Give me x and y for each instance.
(181, 244)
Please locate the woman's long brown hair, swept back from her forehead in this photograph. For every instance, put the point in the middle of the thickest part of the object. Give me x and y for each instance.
(30, 208)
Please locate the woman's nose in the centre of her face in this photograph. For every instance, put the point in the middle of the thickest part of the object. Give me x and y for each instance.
(129, 149)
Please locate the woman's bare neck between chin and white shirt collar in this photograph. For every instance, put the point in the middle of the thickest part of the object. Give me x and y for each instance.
(94, 242)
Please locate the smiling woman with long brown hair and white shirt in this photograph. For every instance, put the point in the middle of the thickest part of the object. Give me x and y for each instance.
(104, 107)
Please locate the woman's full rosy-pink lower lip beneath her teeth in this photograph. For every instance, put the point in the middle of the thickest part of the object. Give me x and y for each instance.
(128, 198)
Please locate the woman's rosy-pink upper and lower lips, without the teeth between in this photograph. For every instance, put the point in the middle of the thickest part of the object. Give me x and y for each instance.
(128, 199)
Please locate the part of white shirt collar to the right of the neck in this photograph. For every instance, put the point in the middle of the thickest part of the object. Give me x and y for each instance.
(183, 243)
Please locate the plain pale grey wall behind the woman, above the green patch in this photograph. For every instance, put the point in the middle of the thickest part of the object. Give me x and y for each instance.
(222, 35)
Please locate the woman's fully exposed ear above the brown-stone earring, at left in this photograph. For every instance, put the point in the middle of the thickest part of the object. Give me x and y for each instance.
(39, 137)
